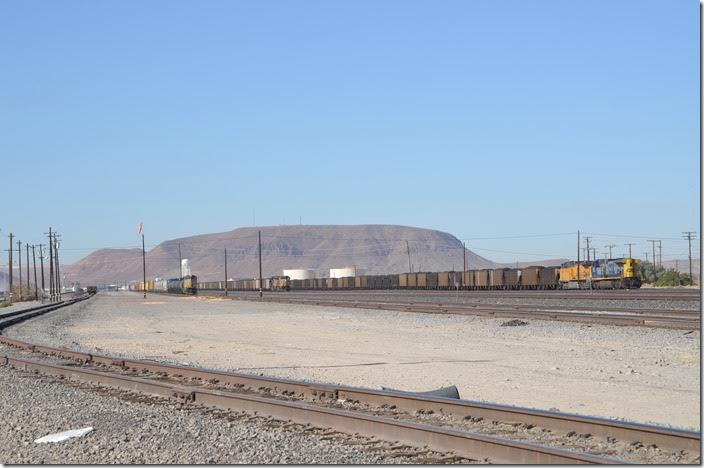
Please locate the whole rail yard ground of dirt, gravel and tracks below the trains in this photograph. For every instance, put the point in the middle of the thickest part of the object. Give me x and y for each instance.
(410, 341)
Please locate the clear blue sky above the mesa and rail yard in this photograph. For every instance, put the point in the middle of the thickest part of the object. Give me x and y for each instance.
(480, 118)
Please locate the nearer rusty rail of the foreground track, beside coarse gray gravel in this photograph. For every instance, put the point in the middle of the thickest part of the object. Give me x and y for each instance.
(464, 444)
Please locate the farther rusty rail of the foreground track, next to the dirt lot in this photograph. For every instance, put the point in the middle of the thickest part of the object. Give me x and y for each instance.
(673, 439)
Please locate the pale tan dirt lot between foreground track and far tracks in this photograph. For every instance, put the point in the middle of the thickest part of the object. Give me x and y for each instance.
(639, 374)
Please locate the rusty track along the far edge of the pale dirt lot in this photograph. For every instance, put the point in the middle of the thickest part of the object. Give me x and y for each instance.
(661, 318)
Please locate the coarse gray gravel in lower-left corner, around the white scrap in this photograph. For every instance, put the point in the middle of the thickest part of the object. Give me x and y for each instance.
(151, 431)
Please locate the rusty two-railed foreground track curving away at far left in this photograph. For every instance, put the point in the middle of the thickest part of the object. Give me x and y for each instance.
(400, 417)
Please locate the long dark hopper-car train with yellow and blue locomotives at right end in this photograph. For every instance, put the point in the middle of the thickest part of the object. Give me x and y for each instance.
(621, 273)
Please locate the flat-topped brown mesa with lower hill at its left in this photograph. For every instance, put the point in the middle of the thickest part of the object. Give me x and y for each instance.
(373, 249)
